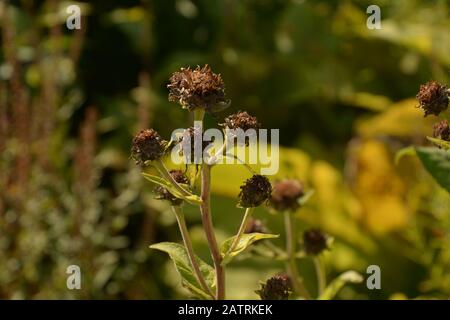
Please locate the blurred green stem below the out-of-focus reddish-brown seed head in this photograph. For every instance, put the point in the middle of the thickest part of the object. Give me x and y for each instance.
(291, 240)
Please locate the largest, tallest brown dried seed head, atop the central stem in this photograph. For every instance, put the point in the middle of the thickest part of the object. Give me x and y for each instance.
(198, 88)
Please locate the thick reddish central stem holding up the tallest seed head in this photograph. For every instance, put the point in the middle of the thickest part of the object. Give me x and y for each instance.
(205, 209)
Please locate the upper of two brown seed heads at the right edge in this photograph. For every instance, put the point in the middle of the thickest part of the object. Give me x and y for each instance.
(433, 98)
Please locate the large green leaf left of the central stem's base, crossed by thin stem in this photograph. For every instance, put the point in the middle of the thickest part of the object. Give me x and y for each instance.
(180, 258)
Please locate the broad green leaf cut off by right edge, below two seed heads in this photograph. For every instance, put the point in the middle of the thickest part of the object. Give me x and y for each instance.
(437, 163)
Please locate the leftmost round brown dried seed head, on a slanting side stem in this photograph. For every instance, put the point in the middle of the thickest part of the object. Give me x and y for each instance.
(147, 145)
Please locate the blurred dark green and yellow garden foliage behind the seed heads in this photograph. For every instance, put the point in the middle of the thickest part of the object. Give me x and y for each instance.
(342, 96)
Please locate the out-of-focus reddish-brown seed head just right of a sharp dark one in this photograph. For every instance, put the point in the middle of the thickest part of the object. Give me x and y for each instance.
(286, 195)
